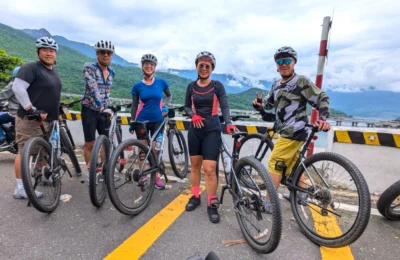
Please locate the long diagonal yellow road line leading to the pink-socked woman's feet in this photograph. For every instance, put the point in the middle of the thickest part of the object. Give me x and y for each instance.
(138, 243)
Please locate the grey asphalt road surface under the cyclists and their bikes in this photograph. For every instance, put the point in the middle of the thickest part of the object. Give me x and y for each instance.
(78, 230)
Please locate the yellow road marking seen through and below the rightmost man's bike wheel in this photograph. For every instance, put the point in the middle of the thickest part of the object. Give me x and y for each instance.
(326, 225)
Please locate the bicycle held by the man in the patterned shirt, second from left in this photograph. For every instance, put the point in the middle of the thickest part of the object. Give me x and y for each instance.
(101, 153)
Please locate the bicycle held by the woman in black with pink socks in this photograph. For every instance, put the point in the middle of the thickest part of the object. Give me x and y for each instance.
(249, 201)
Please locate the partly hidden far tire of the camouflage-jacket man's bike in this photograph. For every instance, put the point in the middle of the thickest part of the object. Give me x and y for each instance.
(265, 145)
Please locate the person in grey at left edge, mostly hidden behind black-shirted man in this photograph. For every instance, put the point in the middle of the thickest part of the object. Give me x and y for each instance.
(8, 117)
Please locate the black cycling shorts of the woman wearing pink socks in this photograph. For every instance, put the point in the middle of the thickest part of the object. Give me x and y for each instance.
(204, 143)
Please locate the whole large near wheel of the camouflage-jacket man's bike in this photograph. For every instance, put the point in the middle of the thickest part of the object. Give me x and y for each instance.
(335, 210)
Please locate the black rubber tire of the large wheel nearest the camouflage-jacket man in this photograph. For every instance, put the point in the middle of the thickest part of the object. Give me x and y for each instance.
(361, 222)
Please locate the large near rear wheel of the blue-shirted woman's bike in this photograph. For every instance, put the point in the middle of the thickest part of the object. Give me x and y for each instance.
(132, 194)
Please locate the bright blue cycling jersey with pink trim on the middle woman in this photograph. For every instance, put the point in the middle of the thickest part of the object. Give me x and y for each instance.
(150, 104)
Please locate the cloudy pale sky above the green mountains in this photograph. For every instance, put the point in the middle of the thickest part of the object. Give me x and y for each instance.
(243, 35)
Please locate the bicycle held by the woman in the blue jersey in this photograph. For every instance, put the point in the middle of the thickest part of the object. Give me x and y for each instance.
(142, 156)
